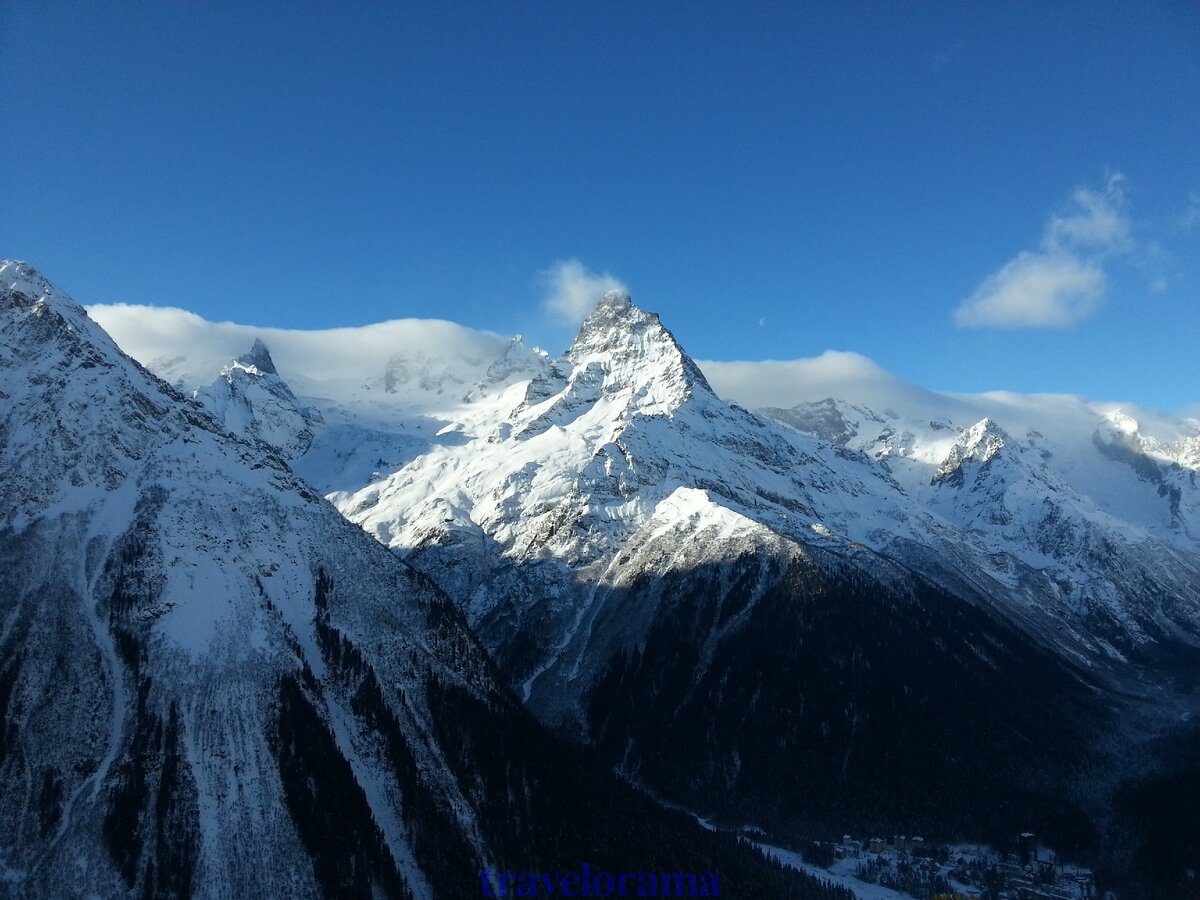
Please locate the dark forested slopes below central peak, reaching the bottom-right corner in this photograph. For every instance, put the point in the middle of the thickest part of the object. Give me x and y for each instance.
(845, 704)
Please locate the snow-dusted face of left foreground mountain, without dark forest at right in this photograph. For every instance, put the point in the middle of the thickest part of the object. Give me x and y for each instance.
(164, 586)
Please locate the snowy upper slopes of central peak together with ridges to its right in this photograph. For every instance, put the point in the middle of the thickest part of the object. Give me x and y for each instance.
(623, 440)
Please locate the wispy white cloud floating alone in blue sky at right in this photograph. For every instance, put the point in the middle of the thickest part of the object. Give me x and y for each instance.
(1064, 281)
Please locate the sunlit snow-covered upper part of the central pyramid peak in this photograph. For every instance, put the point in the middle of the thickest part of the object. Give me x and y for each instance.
(616, 449)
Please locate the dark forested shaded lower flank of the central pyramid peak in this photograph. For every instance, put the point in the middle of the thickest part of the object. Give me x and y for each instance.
(885, 709)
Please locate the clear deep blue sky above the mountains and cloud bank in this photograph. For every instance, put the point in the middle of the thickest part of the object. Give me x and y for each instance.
(976, 196)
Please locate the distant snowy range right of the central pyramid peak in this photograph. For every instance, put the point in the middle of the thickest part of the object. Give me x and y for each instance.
(1084, 518)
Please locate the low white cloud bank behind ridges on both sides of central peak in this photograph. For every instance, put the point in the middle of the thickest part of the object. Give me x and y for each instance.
(189, 351)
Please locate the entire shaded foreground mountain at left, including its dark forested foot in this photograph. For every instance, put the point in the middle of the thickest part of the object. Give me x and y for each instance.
(213, 686)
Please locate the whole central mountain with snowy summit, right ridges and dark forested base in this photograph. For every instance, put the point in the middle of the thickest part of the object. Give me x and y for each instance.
(827, 614)
